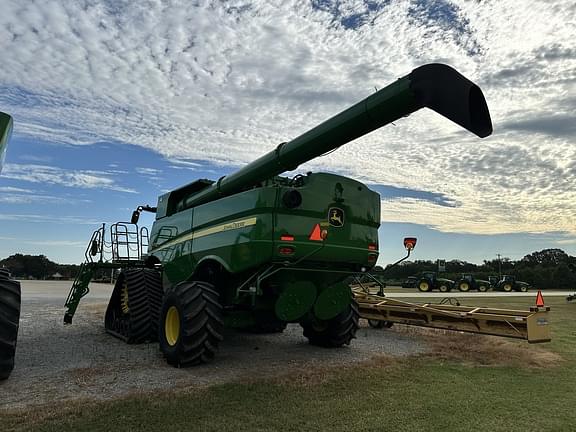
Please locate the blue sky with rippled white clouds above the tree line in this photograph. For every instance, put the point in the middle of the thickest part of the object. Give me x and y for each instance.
(115, 102)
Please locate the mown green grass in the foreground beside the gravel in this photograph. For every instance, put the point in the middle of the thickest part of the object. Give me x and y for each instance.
(465, 383)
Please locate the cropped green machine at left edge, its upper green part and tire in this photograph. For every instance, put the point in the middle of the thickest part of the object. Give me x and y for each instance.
(9, 288)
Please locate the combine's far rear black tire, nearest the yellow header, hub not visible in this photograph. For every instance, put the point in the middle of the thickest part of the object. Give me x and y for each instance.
(336, 332)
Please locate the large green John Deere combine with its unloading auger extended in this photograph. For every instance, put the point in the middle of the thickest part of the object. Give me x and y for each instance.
(254, 250)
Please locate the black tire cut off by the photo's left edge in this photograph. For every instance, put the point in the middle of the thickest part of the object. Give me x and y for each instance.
(10, 300)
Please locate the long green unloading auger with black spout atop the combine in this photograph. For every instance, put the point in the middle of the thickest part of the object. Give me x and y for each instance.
(435, 86)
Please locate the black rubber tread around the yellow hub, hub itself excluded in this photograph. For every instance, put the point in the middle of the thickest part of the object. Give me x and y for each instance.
(202, 323)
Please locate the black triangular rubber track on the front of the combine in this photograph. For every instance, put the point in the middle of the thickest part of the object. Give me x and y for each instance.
(134, 309)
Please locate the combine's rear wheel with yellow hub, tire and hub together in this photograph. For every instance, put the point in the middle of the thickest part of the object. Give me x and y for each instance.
(193, 337)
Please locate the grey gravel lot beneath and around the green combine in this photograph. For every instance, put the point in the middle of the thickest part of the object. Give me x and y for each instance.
(56, 363)
